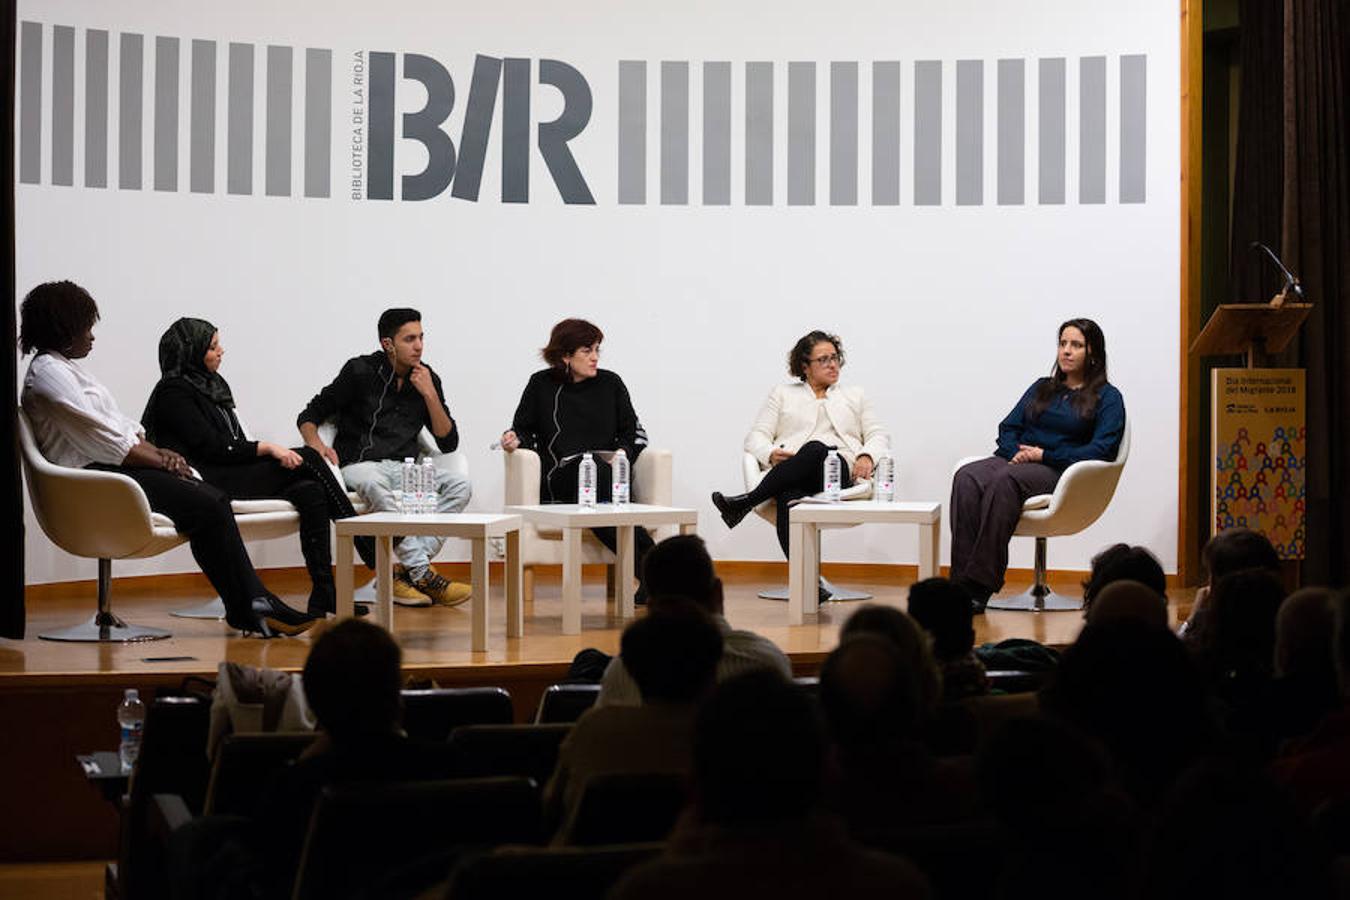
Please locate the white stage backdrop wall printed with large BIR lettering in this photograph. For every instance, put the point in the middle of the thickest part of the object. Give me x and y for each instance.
(939, 184)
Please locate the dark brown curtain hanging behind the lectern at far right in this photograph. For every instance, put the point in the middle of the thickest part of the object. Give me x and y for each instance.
(1293, 192)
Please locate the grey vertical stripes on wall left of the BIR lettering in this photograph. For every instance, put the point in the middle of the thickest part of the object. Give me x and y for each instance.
(196, 103)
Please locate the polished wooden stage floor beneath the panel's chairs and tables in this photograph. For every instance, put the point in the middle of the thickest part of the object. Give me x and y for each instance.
(438, 639)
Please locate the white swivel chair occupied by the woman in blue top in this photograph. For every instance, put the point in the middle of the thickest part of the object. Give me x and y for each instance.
(1082, 495)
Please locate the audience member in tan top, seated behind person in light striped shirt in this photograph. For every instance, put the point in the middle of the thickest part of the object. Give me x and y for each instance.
(673, 655)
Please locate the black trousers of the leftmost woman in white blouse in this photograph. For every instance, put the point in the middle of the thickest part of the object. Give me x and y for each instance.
(202, 512)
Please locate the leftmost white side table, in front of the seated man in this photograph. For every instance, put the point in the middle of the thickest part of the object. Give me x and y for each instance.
(475, 527)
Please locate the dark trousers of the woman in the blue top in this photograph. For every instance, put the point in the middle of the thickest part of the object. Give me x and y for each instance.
(988, 499)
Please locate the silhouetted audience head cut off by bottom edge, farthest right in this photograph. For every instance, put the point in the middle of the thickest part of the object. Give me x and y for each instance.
(1228, 831)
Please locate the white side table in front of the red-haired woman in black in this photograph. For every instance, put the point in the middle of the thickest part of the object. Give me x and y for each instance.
(572, 519)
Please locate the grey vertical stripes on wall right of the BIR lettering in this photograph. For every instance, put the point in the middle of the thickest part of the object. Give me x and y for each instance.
(975, 86)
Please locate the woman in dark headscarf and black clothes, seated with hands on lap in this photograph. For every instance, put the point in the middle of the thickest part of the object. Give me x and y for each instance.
(192, 412)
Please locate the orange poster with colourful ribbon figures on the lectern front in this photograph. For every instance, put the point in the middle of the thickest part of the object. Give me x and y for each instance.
(1260, 453)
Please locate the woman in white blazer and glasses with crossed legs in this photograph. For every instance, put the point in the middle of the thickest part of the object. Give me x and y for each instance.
(800, 423)
